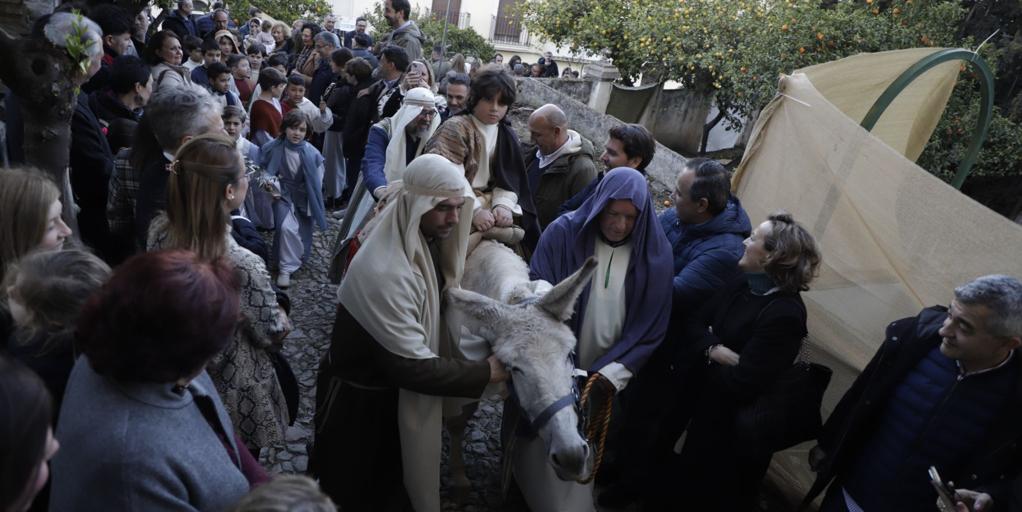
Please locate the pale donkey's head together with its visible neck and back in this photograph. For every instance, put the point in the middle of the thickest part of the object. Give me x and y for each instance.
(526, 330)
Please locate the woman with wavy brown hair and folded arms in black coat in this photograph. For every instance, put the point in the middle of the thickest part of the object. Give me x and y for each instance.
(751, 334)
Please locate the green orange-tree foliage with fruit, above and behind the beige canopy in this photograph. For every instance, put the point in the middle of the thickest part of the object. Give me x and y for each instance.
(736, 50)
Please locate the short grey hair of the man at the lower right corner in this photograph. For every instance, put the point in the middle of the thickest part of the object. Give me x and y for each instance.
(1003, 295)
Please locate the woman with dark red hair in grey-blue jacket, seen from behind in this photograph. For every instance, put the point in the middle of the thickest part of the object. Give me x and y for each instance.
(143, 426)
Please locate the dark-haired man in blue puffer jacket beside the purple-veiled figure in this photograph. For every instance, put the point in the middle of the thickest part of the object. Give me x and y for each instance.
(707, 229)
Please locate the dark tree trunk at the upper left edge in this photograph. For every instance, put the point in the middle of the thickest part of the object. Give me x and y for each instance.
(41, 76)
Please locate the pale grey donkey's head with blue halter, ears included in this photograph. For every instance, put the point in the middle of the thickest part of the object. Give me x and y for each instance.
(533, 342)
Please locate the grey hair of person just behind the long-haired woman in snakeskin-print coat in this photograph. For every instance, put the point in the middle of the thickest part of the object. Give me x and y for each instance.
(179, 112)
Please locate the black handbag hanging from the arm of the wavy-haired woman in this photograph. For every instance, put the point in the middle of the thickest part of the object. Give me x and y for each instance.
(788, 413)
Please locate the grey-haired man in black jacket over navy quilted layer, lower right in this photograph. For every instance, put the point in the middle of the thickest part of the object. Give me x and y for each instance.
(945, 390)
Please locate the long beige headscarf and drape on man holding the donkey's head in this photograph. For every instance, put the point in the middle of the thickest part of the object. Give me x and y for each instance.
(393, 292)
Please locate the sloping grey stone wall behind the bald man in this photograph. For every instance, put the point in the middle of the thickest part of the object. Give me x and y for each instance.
(534, 94)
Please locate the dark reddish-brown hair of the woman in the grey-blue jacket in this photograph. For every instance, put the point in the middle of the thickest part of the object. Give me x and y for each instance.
(161, 317)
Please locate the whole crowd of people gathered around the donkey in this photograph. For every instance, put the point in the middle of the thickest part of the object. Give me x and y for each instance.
(142, 369)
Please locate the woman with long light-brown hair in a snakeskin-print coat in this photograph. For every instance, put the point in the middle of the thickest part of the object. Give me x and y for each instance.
(208, 181)
